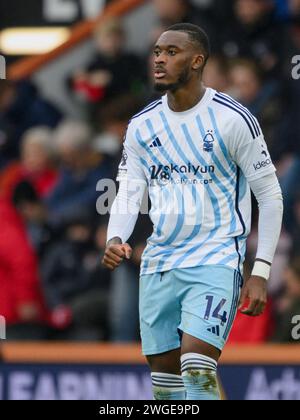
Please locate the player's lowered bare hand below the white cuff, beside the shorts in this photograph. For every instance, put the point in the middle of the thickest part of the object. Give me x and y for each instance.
(254, 291)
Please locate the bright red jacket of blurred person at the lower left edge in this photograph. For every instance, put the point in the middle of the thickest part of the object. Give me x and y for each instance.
(20, 299)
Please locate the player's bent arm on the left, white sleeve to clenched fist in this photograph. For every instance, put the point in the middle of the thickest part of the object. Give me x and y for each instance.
(126, 207)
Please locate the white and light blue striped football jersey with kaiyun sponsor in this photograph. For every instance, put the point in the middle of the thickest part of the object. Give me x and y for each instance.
(196, 165)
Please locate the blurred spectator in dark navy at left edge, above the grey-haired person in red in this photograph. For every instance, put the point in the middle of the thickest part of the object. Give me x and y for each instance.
(21, 108)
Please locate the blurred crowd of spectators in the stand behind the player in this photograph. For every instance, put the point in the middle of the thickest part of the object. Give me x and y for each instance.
(53, 286)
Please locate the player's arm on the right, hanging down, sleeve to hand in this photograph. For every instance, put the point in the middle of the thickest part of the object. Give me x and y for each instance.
(253, 158)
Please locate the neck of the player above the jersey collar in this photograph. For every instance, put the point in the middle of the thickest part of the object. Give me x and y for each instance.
(186, 98)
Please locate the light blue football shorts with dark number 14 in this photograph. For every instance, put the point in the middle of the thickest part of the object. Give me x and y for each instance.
(200, 301)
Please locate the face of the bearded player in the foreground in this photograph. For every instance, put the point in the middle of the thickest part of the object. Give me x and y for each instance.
(174, 57)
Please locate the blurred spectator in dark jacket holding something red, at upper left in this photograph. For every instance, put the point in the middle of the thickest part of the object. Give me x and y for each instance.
(113, 71)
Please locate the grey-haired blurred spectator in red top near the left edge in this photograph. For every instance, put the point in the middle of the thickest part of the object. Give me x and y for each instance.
(36, 164)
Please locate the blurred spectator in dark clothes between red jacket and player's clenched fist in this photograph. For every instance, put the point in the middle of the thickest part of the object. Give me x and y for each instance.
(75, 285)
